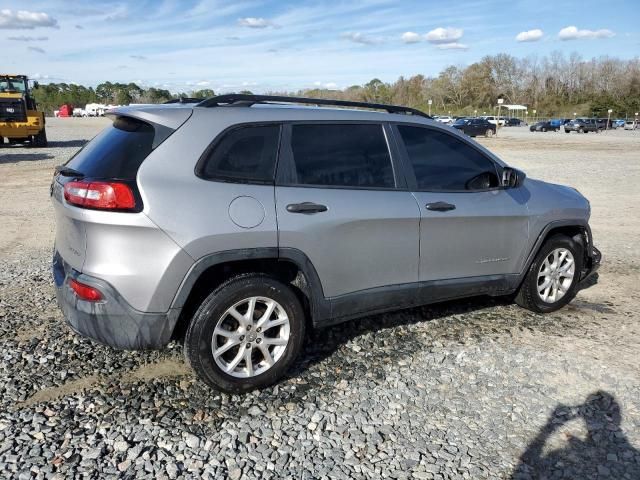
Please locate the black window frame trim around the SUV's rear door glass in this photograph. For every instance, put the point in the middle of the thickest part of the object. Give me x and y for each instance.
(286, 160)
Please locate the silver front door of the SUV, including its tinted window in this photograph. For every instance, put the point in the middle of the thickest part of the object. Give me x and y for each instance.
(470, 227)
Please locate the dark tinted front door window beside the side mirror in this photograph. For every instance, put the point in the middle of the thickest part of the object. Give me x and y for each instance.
(443, 162)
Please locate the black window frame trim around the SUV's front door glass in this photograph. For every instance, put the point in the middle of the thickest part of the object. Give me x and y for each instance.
(409, 172)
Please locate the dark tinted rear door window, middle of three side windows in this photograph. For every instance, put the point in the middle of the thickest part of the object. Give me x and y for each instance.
(341, 155)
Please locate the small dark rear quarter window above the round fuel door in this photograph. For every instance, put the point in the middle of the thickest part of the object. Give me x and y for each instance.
(244, 154)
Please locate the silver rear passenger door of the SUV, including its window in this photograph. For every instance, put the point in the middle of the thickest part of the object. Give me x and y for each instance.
(340, 200)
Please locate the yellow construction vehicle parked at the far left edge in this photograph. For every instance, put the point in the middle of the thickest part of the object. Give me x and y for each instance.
(20, 121)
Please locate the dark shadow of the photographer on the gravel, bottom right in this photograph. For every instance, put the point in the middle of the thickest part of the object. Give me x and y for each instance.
(604, 453)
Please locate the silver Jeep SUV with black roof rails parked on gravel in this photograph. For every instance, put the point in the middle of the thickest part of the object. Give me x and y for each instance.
(240, 222)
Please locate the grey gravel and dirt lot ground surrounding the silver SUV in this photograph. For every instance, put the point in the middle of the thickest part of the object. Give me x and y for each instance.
(470, 389)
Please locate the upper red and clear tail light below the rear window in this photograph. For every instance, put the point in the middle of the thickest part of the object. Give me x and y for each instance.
(100, 195)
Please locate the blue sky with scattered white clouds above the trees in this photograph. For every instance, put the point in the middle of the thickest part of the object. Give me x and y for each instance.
(288, 45)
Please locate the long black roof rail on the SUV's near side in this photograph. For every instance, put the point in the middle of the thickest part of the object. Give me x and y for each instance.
(249, 100)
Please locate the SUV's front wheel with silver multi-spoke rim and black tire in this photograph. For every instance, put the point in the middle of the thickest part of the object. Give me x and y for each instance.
(552, 280)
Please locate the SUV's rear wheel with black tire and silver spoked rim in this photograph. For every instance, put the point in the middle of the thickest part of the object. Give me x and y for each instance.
(246, 334)
